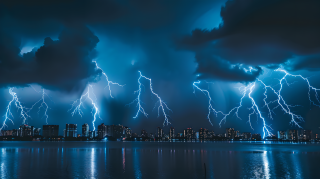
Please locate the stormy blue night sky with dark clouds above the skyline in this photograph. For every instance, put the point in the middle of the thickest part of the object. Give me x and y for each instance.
(51, 45)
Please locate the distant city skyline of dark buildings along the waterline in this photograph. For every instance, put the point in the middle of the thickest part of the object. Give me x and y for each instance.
(120, 132)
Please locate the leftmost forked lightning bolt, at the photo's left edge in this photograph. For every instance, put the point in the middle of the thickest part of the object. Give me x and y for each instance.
(8, 115)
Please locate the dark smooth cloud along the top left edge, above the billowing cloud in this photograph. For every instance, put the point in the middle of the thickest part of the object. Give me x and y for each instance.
(38, 18)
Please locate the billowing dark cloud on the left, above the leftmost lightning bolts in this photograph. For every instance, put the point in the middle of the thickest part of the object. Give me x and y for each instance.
(64, 64)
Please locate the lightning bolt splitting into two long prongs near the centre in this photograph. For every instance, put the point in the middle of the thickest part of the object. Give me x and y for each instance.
(162, 105)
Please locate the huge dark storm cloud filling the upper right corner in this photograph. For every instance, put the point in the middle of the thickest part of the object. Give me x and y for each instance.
(266, 33)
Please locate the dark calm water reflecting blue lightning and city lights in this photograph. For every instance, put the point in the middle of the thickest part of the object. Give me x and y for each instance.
(158, 160)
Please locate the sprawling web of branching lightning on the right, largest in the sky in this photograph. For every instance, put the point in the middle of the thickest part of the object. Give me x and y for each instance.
(280, 102)
